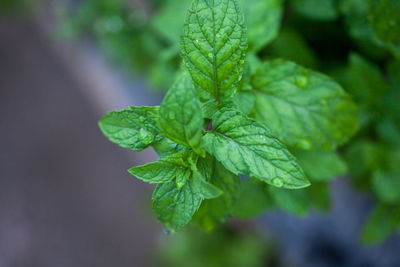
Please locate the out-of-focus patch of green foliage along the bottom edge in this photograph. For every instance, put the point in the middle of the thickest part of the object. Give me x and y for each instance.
(225, 247)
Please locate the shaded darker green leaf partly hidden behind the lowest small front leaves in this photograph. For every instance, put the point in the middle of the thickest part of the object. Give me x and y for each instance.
(213, 211)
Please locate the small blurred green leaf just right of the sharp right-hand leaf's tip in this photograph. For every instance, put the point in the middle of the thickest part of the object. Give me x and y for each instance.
(321, 165)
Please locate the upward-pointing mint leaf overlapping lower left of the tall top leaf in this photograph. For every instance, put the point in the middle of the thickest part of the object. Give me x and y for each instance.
(181, 119)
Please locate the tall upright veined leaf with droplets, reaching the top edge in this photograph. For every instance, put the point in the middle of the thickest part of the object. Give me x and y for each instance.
(213, 47)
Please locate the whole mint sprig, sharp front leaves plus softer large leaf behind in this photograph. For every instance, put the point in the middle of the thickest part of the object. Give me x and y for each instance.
(226, 116)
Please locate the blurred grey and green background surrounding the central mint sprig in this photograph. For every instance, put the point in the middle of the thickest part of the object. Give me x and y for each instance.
(66, 198)
